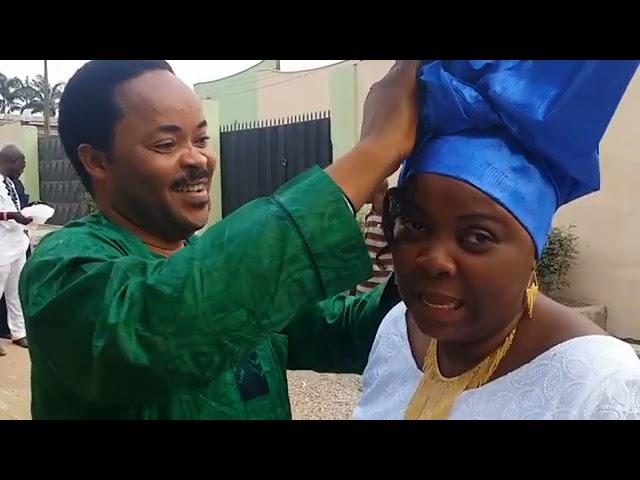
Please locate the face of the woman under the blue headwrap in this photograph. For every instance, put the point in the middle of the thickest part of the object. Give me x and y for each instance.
(462, 261)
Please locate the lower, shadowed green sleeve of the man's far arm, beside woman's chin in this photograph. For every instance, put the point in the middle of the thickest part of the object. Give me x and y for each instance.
(337, 335)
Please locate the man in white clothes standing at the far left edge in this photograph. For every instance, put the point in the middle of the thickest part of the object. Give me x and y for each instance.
(13, 241)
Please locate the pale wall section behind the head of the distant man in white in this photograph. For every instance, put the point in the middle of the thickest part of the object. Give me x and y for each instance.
(26, 138)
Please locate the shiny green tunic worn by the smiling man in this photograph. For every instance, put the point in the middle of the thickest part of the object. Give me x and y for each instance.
(116, 331)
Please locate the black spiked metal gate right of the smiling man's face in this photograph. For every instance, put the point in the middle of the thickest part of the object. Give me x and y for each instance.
(258, 157)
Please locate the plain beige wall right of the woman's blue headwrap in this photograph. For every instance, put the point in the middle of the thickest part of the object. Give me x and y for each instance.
(608, 223)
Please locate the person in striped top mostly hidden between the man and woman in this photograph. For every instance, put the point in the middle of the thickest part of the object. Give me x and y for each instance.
(376, 244)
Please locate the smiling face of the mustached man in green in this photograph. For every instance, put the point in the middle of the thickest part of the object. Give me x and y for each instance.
(160, 166)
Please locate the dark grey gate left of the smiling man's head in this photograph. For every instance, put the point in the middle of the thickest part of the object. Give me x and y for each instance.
(60, 185)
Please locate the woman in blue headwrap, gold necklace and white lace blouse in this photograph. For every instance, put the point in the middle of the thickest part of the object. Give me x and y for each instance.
(507, 143)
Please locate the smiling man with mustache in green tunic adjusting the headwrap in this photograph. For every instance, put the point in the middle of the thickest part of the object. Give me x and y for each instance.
(129, 315)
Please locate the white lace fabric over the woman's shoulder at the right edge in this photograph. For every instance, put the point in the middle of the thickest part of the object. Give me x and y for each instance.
(586, 377)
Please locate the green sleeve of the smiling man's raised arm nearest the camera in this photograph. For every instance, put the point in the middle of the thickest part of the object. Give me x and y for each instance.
(121, 328)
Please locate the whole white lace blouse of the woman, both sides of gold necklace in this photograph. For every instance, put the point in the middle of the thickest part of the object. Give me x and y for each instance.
(591, 377)
